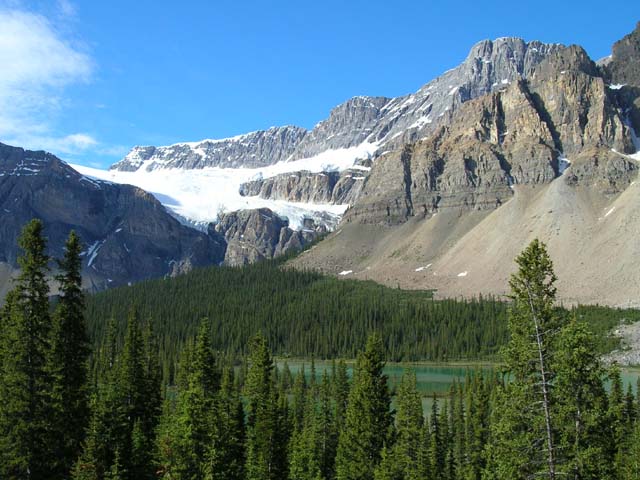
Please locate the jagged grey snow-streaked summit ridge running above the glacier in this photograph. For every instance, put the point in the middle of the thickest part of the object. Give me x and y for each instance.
(380, 121)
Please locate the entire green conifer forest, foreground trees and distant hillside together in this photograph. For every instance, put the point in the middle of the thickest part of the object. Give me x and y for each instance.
(175, 379)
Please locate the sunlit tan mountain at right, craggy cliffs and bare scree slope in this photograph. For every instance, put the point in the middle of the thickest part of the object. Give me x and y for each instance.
(553, 156)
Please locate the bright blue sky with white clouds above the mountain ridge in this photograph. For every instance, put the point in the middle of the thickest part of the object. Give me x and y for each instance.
(89, 79)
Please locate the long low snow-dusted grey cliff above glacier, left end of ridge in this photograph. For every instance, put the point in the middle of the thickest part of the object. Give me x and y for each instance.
(256, 149)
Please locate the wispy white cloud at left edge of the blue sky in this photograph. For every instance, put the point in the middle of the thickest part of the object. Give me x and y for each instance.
(38, 63)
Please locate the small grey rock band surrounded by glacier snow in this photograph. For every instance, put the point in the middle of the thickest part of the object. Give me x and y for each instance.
(306, 187)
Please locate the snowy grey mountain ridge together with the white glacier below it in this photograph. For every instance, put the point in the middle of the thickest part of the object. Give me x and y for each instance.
(200, 180)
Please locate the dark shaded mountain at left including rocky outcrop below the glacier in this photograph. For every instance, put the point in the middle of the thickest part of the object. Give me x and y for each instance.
(129, 235)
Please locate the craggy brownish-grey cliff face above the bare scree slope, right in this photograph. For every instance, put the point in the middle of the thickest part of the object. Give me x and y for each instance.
(516, 135)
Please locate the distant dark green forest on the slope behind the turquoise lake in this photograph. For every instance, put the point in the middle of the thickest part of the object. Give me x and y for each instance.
(305, 314)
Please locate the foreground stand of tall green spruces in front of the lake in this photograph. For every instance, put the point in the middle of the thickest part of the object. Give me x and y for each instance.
(547, 415)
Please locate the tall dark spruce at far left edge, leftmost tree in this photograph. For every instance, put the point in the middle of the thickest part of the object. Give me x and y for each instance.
(26, 429)
